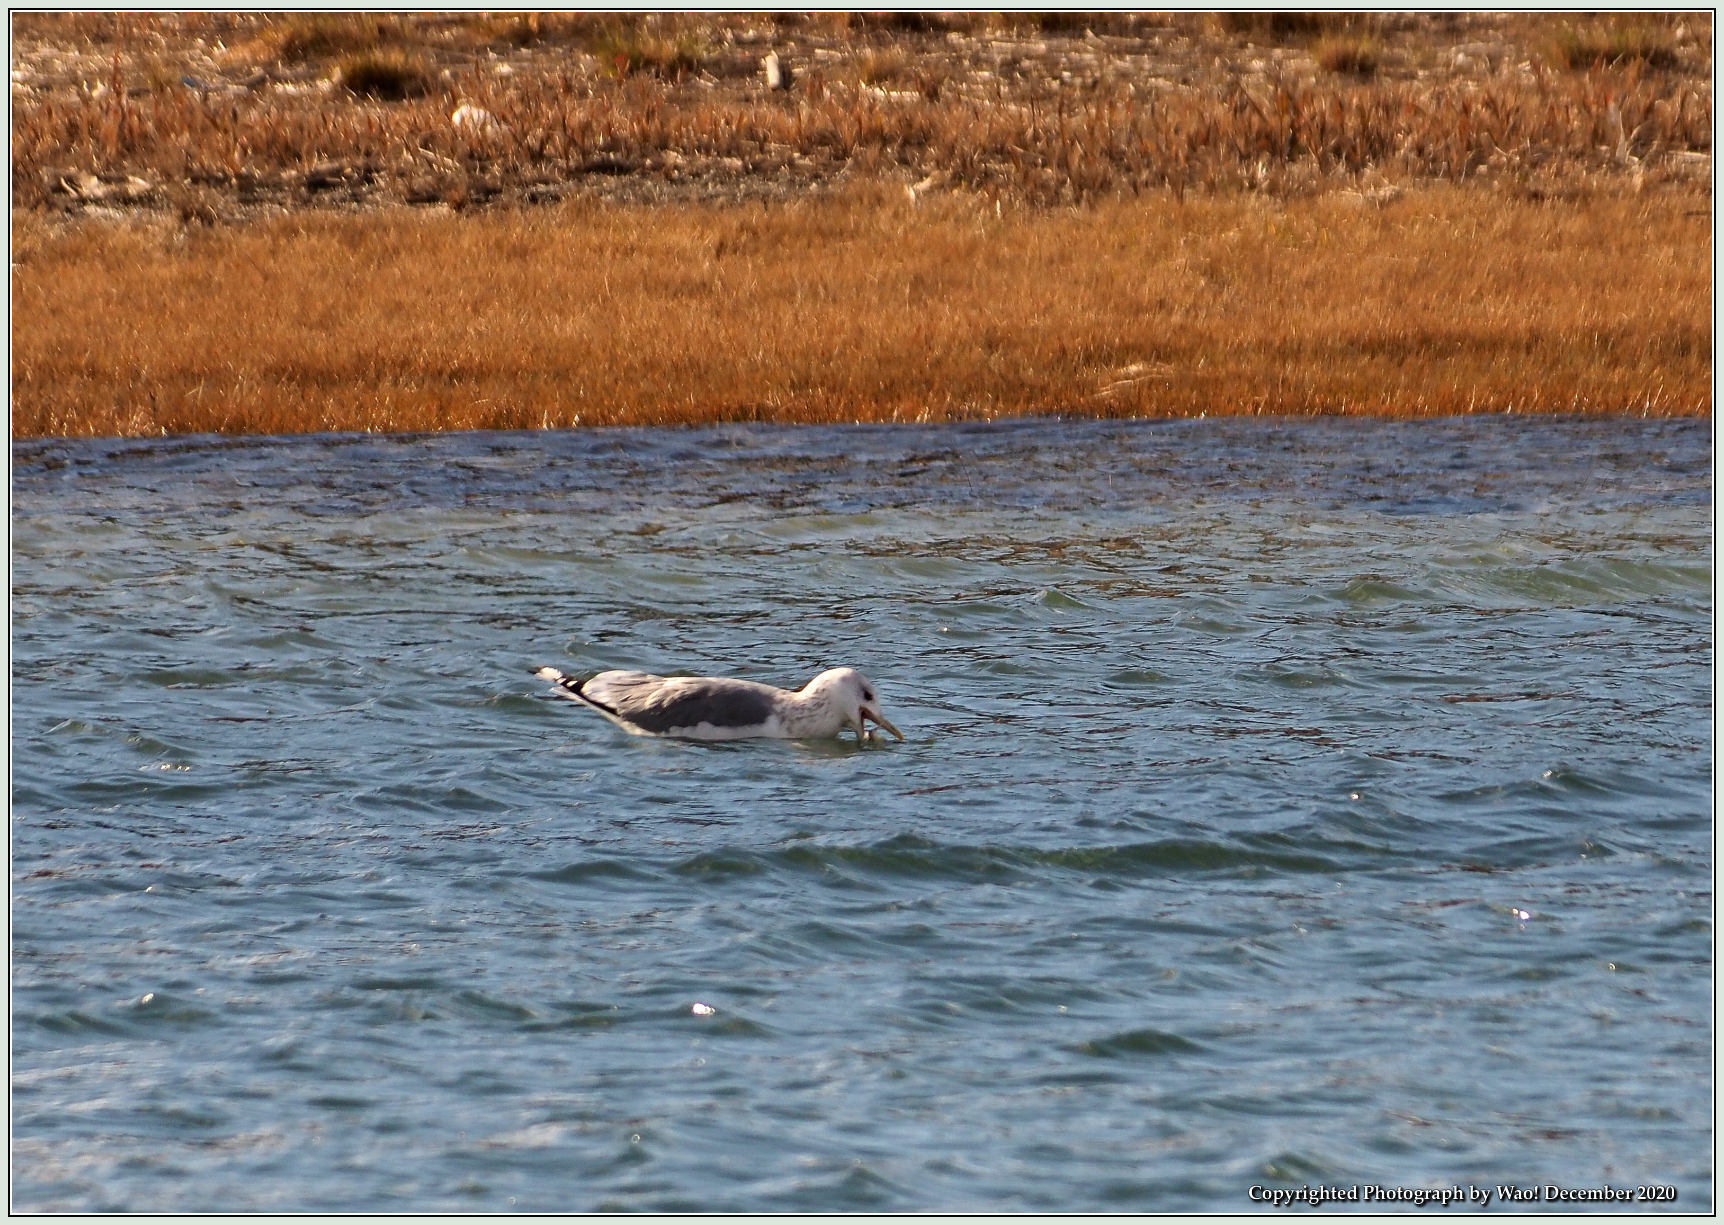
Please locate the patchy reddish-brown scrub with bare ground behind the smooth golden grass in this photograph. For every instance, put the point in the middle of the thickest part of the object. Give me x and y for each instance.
(353, 109)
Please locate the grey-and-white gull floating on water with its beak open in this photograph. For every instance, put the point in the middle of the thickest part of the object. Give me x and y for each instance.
(716, 709)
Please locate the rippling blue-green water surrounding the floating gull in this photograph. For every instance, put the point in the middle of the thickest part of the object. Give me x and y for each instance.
(1284, 805)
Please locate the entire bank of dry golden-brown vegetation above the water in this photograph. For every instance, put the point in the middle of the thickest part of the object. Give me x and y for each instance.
(975, 220)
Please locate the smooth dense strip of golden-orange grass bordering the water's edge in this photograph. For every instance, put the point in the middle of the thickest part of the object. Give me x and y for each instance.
(865, 308)
